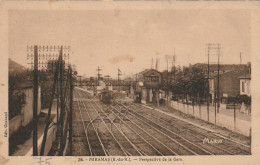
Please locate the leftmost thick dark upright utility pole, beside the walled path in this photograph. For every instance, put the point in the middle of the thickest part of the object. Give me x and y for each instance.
(35, 101)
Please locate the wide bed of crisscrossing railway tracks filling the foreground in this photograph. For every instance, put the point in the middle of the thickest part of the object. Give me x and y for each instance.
(135, 130)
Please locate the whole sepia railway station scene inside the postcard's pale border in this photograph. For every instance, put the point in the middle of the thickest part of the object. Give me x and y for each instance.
(129, 83)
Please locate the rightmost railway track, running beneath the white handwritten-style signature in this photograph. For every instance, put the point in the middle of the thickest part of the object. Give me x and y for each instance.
(192, 133)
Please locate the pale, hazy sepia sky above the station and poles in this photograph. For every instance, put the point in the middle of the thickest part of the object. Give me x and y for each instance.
(129, 39)
